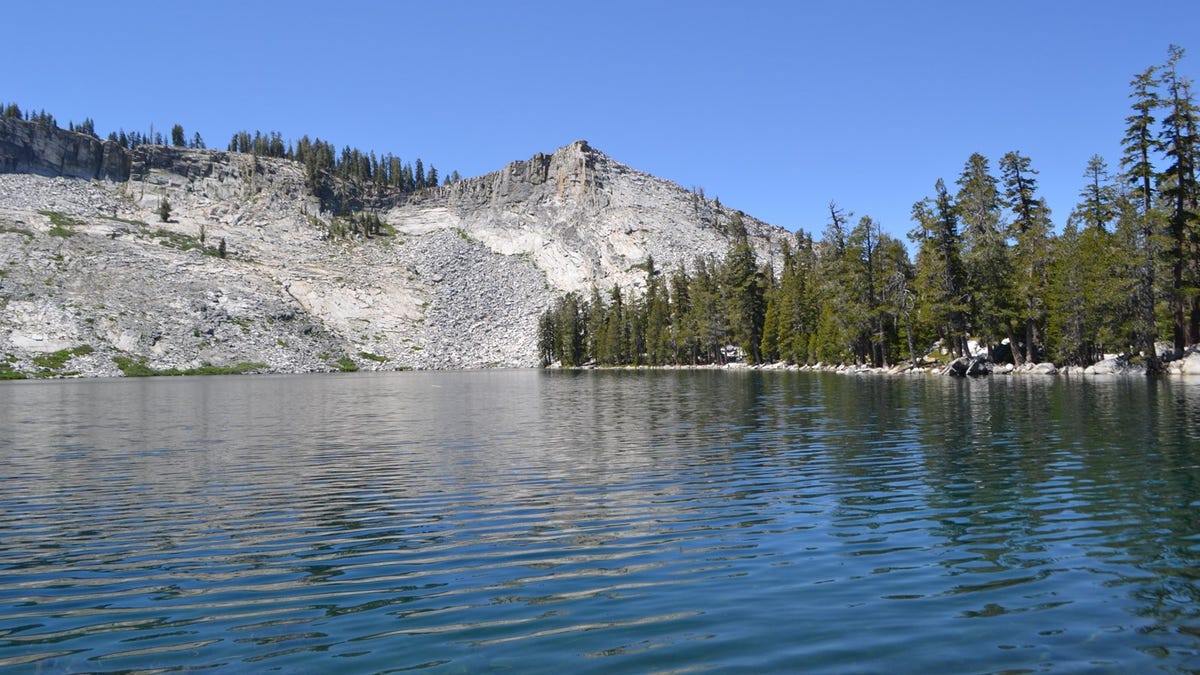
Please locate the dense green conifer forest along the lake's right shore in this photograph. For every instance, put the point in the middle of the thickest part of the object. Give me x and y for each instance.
(1123, 274)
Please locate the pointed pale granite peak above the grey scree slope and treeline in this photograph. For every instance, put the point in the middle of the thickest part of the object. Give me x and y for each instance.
(584, 219)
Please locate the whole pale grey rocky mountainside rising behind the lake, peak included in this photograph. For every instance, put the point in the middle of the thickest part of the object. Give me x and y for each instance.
(93, 283)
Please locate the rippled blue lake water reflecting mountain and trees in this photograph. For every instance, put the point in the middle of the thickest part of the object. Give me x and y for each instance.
(601, 522)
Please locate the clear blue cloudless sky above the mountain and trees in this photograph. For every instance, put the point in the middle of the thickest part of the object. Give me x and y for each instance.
(775, 107)
